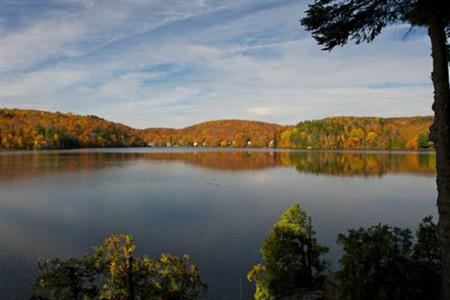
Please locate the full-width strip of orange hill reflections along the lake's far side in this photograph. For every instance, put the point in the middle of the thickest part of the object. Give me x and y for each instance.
(316, 162)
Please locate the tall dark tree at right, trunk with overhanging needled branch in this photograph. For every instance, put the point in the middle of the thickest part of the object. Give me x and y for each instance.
(335, 22)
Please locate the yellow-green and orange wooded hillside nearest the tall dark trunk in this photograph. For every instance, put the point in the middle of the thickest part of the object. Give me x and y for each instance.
(358, 133)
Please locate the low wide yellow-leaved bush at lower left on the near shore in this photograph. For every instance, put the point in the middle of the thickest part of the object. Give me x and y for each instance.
(112, 272)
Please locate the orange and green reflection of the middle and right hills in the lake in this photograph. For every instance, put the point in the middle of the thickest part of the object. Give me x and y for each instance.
(329, 163)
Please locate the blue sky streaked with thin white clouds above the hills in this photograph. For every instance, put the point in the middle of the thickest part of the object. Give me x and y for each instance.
(174, 63)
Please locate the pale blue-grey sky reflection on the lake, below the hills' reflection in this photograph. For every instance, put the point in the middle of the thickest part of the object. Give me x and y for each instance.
(219, 217)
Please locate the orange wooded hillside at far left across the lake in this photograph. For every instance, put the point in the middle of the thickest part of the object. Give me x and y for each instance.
(31, 129)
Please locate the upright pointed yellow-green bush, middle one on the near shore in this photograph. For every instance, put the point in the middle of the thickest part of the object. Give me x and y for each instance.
(292, 257)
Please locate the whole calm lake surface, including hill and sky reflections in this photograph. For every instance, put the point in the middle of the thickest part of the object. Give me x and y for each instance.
(215, 205)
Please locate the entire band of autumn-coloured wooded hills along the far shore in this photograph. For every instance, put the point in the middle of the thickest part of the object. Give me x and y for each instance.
(31, 129)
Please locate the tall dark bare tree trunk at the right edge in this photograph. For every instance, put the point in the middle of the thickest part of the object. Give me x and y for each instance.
(440, 135)
